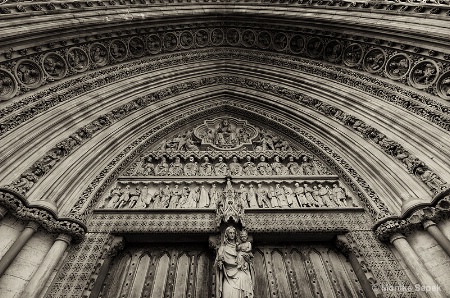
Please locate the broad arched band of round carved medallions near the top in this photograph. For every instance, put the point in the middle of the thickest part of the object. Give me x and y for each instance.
(397, 68)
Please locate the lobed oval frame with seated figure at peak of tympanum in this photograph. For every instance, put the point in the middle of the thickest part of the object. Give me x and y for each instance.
(226, 133)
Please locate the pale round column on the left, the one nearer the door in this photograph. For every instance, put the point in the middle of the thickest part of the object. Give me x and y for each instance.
(39, 279)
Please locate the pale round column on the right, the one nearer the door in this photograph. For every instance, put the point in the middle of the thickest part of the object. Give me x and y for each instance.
(415, 264)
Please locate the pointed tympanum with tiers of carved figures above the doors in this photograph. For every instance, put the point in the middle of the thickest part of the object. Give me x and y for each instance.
(229, 165)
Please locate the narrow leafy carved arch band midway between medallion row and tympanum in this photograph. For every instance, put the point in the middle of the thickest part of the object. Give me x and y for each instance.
(46, 163)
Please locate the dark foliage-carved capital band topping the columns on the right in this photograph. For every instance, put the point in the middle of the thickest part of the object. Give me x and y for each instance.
(436, 211)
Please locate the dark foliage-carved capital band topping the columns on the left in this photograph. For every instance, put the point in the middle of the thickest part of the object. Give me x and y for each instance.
(20, 208)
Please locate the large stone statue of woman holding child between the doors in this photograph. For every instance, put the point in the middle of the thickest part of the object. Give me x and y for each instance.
(231, 281)
